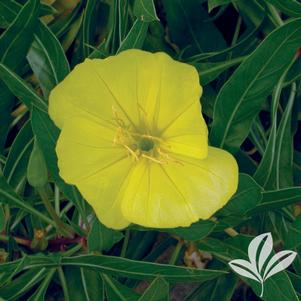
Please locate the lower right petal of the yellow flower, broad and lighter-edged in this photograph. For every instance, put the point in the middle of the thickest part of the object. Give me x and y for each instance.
(176, 195)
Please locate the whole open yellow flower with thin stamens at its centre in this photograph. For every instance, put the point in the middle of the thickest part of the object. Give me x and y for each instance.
(134, 142)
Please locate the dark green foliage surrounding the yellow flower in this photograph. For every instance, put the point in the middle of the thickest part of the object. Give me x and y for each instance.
(247, 54)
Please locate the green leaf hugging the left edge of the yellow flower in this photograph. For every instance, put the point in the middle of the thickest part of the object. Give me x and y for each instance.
(47, 134)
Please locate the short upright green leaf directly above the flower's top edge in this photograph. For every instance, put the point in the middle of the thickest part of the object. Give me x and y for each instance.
(135, 37)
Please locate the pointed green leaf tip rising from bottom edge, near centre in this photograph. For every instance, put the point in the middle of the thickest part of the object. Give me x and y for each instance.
(157, 291)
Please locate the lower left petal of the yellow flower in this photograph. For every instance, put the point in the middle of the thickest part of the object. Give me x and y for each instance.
(88, 158)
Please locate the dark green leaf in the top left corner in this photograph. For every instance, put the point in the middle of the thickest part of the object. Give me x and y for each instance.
(15, 41)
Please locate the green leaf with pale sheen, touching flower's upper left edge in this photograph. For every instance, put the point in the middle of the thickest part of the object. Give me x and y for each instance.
(47, 59)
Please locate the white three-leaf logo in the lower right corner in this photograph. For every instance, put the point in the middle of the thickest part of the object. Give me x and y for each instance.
(254, 268)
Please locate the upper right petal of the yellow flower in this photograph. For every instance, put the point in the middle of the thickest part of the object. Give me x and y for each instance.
(174, 109)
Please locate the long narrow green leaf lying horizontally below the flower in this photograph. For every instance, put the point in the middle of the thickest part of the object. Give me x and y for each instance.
(120, 267)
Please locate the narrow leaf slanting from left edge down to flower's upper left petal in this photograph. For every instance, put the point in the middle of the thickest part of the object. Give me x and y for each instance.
(21, 89)
